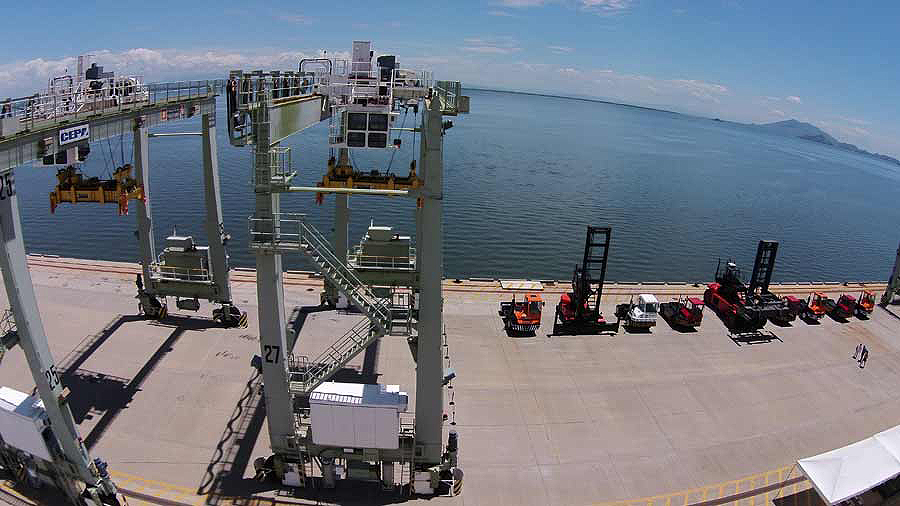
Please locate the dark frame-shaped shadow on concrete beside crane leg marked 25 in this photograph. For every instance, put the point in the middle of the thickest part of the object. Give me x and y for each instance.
(104, 395)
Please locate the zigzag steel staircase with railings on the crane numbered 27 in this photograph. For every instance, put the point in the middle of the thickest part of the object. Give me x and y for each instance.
(291, 232)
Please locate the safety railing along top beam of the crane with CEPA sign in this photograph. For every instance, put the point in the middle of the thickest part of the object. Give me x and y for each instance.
(65, 104)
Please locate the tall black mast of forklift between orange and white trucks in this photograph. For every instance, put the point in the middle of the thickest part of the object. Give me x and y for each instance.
(592, 271)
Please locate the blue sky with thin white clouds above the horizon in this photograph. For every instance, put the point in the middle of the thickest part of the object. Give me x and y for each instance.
(835, 64)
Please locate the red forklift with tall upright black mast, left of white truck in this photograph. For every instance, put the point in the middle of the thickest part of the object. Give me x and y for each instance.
(578, 311)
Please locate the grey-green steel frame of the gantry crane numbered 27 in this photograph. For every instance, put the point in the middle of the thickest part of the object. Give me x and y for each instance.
(360, 100)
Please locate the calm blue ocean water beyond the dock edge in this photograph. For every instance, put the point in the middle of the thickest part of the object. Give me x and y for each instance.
(524, 174)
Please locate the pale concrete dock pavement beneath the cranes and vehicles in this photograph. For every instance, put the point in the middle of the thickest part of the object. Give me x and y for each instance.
(174, 405)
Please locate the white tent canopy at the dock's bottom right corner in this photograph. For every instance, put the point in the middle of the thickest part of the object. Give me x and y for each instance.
(846, 472)
